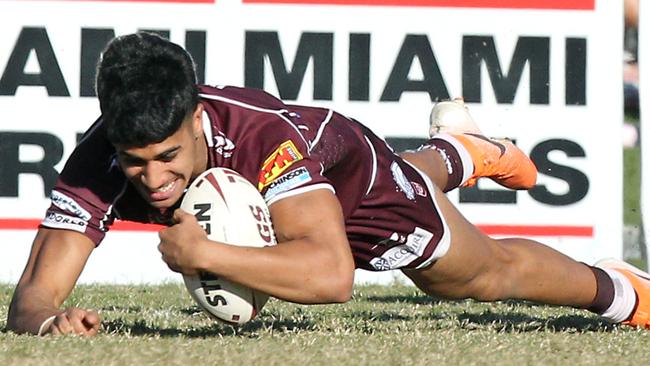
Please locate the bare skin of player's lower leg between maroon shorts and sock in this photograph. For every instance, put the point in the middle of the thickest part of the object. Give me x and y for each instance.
(486, 269)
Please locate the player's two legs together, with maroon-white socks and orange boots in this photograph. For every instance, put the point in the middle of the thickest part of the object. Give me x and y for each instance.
(479, 267)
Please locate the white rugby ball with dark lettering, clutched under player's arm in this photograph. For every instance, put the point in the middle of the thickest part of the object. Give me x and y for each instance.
(231, 210)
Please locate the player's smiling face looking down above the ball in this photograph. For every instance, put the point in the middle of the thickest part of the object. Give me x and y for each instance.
(161, 171)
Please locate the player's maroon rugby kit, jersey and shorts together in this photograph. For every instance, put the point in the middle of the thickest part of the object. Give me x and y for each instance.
(391, 218)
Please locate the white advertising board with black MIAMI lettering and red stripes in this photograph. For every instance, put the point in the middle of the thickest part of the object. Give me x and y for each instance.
(545, 73)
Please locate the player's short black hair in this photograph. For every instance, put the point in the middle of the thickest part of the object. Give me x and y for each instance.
(146, 86)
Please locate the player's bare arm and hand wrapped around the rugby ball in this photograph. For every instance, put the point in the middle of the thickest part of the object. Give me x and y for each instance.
(312, 263)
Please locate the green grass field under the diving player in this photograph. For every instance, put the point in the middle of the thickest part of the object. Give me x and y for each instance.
(390, 325)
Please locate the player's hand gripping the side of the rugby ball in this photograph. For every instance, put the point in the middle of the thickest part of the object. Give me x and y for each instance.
(179, 243)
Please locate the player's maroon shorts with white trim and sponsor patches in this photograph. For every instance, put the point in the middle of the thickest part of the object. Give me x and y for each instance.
(398, 224)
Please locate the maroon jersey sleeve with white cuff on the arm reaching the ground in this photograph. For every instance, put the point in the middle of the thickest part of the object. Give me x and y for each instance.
(86, 189)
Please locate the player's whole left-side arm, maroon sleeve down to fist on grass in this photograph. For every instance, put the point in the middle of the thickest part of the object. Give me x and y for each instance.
(74, 224)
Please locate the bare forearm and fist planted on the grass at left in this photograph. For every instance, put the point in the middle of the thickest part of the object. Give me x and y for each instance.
(55, 263)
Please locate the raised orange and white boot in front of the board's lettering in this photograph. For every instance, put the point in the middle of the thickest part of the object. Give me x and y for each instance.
(497, 159)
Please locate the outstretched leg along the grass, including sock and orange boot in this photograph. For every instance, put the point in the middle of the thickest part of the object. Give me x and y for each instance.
(476, 266)
